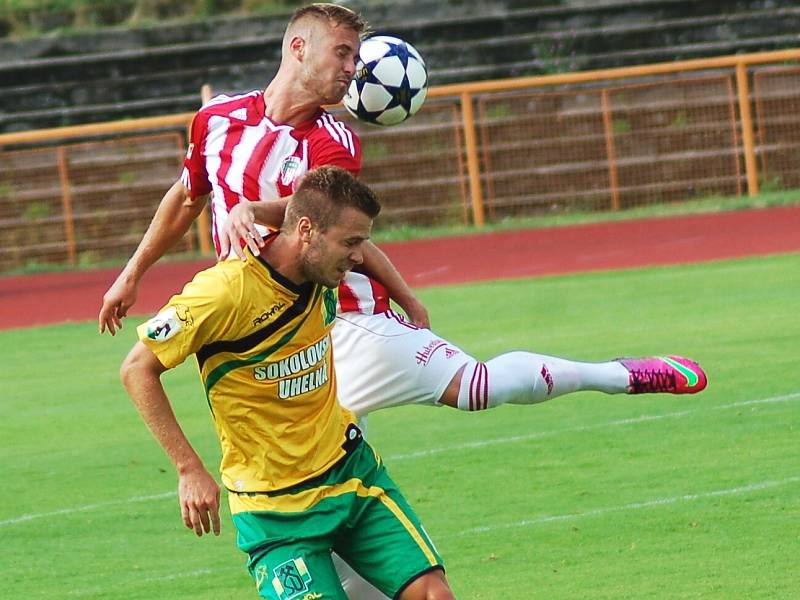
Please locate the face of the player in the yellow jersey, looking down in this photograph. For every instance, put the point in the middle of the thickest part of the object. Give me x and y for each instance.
(331, 254)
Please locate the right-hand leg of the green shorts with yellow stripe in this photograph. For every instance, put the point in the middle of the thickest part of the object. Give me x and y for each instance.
(385, 542)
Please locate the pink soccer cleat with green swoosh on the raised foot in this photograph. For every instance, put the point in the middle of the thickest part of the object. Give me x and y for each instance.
(670, 374)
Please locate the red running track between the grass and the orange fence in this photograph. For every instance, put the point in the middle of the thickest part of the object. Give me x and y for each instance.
(55, 297)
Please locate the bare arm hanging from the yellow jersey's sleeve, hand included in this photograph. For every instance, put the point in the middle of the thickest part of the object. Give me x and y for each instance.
(198, 493)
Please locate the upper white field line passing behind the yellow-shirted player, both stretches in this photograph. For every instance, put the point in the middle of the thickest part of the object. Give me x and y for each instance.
(433, 451)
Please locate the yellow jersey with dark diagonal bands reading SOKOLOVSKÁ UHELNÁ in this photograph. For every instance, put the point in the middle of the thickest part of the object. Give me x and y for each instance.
(263, 348)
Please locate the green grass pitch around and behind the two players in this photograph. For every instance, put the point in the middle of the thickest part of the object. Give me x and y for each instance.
(588, 496)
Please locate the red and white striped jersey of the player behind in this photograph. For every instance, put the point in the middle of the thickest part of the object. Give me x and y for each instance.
(237, 153)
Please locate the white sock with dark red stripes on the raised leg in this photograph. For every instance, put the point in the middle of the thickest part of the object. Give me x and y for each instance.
(527, 378)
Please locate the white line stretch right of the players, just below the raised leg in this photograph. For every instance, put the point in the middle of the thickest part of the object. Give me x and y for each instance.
(608, 424)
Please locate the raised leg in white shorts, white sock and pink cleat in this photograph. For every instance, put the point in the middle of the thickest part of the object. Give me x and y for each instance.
(408, 365)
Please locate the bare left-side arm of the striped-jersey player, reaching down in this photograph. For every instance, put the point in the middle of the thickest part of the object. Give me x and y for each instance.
(171, 222)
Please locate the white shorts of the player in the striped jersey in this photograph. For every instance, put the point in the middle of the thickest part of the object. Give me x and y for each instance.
(382, 361)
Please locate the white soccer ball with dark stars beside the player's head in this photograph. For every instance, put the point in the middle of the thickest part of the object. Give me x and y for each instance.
(390, 84)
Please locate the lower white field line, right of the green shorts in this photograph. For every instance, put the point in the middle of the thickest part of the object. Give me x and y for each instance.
(753, 487)
